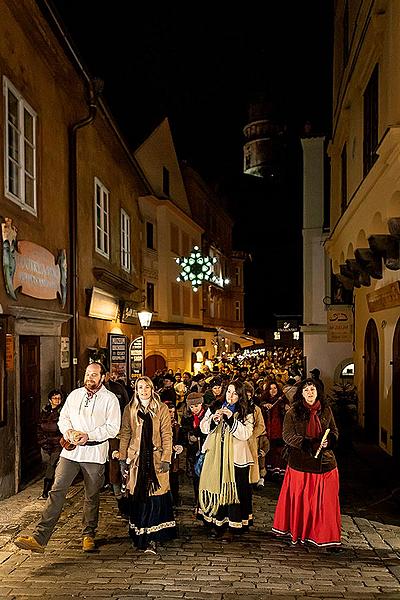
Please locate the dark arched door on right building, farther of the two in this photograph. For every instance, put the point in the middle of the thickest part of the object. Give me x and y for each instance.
(371, 382)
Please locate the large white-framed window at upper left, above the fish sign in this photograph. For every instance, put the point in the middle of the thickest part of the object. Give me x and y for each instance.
(20, 149)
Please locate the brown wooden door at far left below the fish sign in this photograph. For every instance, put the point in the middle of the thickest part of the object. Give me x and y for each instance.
(31, 463)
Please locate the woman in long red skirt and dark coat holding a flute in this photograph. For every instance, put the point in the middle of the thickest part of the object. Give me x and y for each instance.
(308, 509)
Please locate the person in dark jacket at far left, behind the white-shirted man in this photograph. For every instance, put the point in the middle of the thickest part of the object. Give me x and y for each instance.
(48, 436)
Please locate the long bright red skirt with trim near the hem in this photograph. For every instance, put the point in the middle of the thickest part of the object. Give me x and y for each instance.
(308, 508)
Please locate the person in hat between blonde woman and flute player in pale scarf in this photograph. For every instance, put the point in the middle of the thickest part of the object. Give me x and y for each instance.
(193, 436)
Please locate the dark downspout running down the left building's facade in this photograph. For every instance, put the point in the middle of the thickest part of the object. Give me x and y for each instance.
(95, 89)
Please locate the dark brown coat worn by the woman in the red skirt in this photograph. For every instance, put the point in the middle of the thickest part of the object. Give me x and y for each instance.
(302, 449)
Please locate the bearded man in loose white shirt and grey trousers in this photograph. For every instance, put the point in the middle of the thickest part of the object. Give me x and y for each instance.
(90, 416)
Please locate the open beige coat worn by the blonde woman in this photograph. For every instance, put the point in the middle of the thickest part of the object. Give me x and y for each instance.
(129, 445)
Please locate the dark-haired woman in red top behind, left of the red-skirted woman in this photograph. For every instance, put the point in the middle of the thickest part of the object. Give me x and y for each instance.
(274, 406)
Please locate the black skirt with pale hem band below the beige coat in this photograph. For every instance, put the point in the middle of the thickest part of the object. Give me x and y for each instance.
(152, 520)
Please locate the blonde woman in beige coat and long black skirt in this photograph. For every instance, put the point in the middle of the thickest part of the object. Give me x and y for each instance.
(145, 454)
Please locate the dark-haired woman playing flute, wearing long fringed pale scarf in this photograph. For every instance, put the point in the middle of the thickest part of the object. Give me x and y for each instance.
(225, 495)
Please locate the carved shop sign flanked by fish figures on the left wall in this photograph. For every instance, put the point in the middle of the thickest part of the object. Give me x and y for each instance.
(32, 269)
